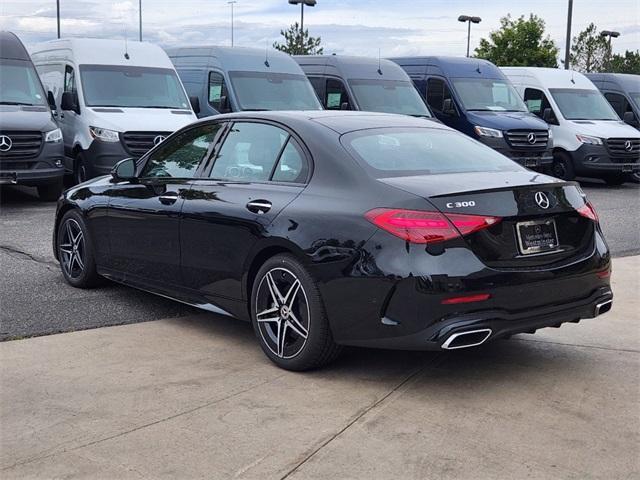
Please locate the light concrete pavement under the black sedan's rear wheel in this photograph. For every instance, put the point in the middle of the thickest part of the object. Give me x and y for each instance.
(196, 398)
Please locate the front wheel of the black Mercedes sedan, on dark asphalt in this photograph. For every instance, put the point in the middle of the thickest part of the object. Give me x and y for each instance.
(80, 273)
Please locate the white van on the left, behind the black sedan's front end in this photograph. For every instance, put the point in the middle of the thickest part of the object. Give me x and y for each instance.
(116, 99)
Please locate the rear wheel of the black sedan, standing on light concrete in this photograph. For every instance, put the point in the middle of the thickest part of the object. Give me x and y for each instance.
(304, 310)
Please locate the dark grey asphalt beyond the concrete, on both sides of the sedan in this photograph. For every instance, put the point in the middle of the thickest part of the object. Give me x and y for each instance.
(35, 300)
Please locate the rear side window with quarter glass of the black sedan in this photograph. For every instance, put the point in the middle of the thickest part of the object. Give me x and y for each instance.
(258, 152)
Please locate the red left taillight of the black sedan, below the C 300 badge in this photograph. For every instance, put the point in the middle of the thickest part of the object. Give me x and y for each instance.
(418, 226)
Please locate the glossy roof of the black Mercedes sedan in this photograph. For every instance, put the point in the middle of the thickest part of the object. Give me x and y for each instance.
(338, 121)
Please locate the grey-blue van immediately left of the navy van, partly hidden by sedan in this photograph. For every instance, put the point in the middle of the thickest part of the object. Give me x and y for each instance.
(361, 83)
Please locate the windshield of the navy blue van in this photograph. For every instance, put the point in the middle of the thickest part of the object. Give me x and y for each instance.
(488, 95)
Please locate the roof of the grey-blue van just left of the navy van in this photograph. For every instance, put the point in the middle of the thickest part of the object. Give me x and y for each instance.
(350, 67)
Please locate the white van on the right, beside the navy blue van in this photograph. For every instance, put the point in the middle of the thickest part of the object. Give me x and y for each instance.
(589, 138)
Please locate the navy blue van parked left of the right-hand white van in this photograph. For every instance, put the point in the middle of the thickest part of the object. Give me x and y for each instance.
(476, 98)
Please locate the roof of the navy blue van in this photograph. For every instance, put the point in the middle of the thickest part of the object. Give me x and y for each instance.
(461, 67)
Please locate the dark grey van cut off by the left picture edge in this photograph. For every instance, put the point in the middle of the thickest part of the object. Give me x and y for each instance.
(31, 149)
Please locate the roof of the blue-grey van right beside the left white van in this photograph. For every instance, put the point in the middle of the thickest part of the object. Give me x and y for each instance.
(234, 59)
